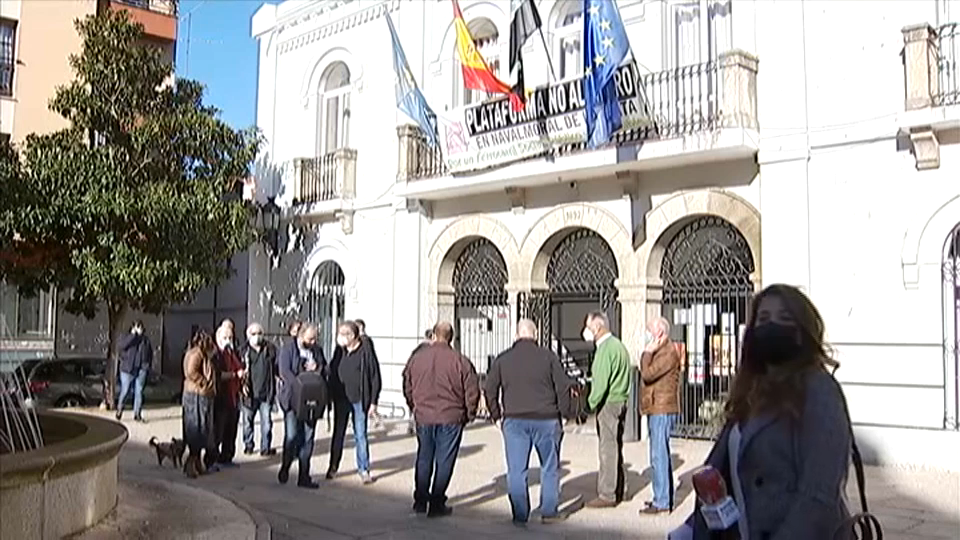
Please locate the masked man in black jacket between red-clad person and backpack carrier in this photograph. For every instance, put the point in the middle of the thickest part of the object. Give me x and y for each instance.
(259, 358)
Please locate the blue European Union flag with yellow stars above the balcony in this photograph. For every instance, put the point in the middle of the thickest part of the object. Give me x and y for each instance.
(605, 47)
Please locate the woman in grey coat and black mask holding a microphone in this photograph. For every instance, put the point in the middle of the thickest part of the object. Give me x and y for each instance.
(785, 450)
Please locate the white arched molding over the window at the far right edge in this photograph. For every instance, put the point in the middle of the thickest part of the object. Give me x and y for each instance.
(924, 239)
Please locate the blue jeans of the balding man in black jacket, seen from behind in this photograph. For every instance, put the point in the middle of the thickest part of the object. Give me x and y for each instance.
(520, 435)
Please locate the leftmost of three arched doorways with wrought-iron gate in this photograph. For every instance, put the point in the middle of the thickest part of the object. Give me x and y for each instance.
(481, 310)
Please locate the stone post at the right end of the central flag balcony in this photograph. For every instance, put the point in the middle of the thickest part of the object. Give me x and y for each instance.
(738, 106)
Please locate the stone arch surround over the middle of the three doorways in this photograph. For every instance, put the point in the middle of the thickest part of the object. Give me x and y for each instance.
(535, 251)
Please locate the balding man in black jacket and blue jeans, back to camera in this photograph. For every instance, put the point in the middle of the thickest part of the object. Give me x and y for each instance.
(535, 391)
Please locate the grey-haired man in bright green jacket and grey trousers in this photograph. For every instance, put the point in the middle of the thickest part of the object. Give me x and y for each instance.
(610, 389)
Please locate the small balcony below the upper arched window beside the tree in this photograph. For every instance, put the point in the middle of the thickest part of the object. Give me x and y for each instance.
(324, 187)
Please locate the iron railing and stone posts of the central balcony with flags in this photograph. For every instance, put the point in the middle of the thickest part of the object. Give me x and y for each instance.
(683, 101)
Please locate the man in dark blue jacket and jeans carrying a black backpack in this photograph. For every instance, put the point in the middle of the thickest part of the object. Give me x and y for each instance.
(300, 354)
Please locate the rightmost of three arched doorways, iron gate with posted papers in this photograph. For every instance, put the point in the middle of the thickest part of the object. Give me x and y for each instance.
(706, 292)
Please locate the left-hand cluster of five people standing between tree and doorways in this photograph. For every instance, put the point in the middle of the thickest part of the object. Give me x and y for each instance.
(221, 381)
